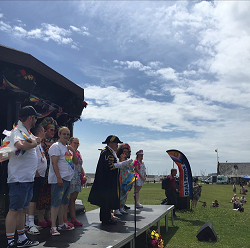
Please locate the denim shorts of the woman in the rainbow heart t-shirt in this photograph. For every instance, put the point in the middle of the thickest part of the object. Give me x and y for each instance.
(60, 195)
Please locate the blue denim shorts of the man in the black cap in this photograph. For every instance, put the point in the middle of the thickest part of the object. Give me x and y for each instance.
(20, 195)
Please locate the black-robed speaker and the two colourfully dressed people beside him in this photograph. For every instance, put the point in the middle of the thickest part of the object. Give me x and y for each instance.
(116, 171)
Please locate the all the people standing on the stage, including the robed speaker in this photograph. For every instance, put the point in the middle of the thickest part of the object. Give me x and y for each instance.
(45, 175)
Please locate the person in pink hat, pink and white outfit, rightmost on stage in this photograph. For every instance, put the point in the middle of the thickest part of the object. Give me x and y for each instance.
(141, 170)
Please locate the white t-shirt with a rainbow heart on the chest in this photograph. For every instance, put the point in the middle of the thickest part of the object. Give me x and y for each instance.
(65, 164)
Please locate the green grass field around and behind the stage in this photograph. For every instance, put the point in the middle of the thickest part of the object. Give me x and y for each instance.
(231, 227)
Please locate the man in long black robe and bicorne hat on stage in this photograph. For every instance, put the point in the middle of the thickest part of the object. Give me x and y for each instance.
(105, 191)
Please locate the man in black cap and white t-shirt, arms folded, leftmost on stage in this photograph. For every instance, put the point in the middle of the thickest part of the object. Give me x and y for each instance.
(22, 167)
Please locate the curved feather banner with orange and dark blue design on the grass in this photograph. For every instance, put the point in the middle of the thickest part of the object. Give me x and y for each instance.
(185, 174)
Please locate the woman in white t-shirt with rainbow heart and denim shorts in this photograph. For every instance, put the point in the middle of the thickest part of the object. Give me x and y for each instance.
(62, 162)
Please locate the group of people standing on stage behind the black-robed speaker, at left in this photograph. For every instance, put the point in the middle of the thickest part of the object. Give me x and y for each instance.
(44, 175)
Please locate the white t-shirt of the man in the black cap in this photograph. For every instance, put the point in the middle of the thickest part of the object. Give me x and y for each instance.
(21, 168)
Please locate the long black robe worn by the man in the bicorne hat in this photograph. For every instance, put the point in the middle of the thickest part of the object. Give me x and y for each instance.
(105, 191)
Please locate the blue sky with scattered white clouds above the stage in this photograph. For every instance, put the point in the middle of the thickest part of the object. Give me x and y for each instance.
(158, 74)
